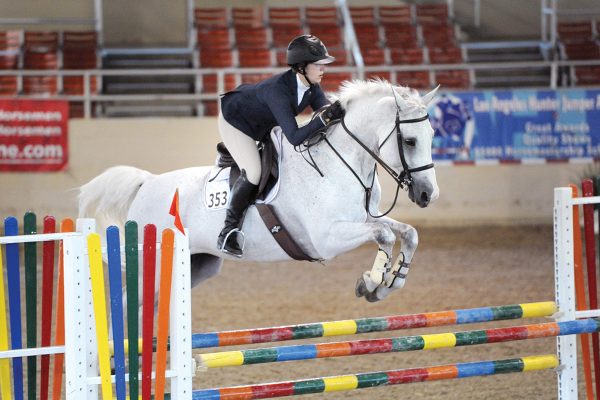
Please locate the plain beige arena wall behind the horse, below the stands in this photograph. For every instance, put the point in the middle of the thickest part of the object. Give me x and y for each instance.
(504, 194)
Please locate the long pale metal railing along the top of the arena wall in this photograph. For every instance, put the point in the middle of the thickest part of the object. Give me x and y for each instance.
(88, 98)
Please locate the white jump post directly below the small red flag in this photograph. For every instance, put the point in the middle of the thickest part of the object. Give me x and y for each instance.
(181, 322)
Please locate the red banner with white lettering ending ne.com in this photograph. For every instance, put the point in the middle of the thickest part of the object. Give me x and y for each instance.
(33, 135)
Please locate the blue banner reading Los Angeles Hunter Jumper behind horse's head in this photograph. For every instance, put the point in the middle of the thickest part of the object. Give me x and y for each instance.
(516, 125)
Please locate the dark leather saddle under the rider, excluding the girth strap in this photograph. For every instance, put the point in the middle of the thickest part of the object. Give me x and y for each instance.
(268, 163)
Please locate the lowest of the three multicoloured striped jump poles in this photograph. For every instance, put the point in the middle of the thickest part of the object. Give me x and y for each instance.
(383, 378)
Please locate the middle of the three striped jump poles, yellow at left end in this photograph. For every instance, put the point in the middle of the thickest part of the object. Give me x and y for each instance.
(399, 344)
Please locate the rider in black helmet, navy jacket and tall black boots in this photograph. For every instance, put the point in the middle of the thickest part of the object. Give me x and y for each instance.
(249, 112)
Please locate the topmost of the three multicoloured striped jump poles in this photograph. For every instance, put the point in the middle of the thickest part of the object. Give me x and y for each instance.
(378, 324)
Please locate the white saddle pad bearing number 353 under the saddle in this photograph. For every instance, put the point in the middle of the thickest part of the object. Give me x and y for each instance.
(216, 189)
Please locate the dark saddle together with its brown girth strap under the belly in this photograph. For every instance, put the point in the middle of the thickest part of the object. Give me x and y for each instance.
(268, 179)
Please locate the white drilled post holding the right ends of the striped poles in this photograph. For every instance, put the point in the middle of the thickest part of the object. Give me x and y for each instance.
(565, 291)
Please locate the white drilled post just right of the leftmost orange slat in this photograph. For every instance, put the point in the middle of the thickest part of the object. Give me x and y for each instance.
(75, 278)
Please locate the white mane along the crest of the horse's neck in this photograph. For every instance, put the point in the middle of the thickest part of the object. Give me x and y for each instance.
(357, 89)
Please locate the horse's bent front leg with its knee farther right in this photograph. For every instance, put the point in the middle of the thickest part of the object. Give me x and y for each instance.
(395, 277)
